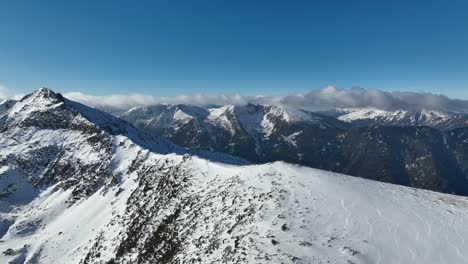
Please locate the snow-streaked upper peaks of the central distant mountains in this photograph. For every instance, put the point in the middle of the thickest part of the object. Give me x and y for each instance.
(254, 119)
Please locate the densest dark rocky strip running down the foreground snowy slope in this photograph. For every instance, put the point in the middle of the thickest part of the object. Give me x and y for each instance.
(158, 238)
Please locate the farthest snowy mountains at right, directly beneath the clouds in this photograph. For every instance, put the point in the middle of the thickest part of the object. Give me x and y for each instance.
(376, 117)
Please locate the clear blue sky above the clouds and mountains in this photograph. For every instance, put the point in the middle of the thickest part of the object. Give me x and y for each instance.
(249, 47)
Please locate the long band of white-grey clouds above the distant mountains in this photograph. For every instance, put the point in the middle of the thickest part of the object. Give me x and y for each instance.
(321, 99)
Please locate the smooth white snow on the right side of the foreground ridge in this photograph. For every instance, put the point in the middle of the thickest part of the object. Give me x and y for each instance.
(331, 217)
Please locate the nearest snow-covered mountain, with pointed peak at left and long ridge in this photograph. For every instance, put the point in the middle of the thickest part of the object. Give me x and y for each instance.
(80, 186)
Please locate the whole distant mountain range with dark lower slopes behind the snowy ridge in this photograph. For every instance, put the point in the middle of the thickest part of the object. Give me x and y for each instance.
(423, 149)
